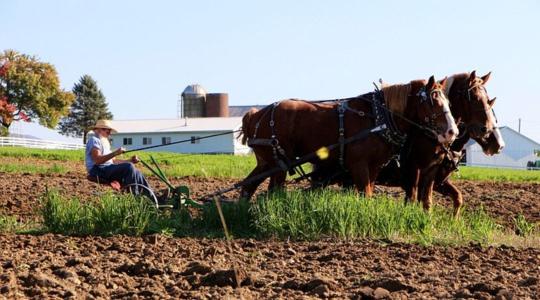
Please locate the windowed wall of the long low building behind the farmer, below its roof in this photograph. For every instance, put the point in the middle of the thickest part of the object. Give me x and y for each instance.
(219, 144)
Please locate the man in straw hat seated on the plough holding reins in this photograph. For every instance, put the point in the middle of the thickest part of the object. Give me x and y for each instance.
(101, 162)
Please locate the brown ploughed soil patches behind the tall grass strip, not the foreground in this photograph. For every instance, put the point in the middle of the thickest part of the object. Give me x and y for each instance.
(19, 193)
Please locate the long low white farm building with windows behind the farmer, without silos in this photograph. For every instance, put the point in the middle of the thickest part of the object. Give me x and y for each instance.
(133, 134)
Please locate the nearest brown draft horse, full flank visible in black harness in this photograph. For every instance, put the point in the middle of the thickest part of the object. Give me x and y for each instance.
(289, 129)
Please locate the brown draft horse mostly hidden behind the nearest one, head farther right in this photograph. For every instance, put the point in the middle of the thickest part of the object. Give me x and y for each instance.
(424, 165)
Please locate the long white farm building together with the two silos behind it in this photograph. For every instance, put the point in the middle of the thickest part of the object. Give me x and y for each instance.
(200, 114)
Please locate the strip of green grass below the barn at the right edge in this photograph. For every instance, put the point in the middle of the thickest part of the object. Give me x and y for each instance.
(493, 174)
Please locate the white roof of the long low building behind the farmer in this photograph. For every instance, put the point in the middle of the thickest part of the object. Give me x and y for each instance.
(177, 125)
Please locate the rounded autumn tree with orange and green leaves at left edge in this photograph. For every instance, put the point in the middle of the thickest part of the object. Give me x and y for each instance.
(30, 89)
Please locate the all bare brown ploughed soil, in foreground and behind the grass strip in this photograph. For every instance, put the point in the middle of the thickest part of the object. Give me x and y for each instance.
(52, 266)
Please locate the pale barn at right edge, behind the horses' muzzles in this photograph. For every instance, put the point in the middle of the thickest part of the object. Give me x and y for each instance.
(519, 150)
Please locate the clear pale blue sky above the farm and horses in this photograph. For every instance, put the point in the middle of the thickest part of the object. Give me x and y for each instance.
(144, 53)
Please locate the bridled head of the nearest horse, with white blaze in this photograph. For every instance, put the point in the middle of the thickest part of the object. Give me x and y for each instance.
(433, 110)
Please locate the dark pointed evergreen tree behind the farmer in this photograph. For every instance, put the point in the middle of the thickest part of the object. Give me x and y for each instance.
(89, 106)
